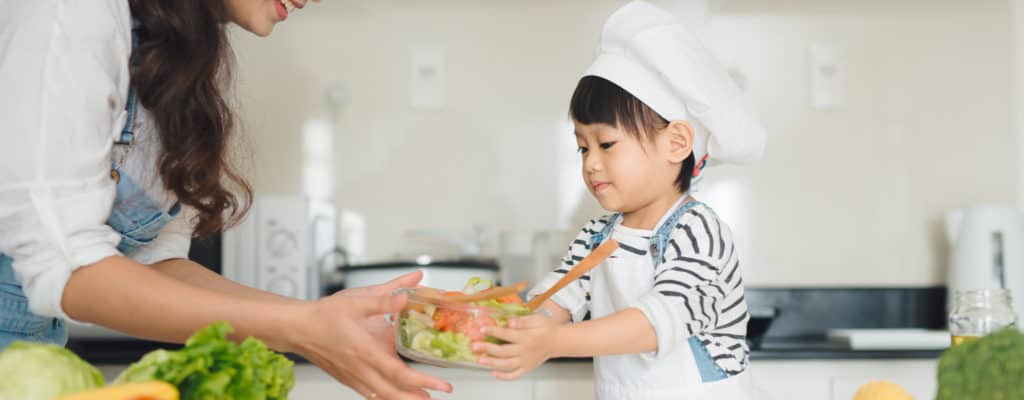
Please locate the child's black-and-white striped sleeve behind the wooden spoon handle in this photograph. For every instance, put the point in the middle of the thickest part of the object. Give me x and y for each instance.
(576, 297)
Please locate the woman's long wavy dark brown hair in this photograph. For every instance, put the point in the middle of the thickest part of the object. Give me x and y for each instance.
(181, 69)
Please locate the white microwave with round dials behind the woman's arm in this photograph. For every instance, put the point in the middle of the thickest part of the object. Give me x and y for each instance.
(283, 246)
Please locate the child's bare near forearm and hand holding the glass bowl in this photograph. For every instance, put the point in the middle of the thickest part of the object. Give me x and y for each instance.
(534, 340)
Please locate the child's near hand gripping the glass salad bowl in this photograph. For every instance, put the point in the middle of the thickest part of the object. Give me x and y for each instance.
(530, 345)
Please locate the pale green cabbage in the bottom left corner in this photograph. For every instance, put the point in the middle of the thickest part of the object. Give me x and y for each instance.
(42, 372)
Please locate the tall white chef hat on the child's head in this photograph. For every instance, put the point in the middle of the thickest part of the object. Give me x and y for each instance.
(650, 54)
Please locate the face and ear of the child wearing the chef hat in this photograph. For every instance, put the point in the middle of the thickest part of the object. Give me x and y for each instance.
(623, 174)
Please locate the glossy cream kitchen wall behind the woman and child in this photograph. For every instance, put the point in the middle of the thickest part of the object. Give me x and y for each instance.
(848, 197)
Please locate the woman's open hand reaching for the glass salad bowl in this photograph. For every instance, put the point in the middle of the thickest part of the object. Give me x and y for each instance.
(348, 337)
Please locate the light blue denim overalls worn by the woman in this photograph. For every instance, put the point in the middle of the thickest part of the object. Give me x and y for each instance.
(136, 216)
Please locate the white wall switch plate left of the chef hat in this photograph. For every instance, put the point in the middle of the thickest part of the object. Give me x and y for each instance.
(430, 81)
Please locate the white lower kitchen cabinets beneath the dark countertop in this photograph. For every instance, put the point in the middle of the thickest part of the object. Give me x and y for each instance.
(779, 380)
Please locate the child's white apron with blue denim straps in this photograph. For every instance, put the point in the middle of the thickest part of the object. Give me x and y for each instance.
(689, 373)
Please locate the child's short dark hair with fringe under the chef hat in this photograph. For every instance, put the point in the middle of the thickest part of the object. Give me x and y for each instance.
(599, 101)
